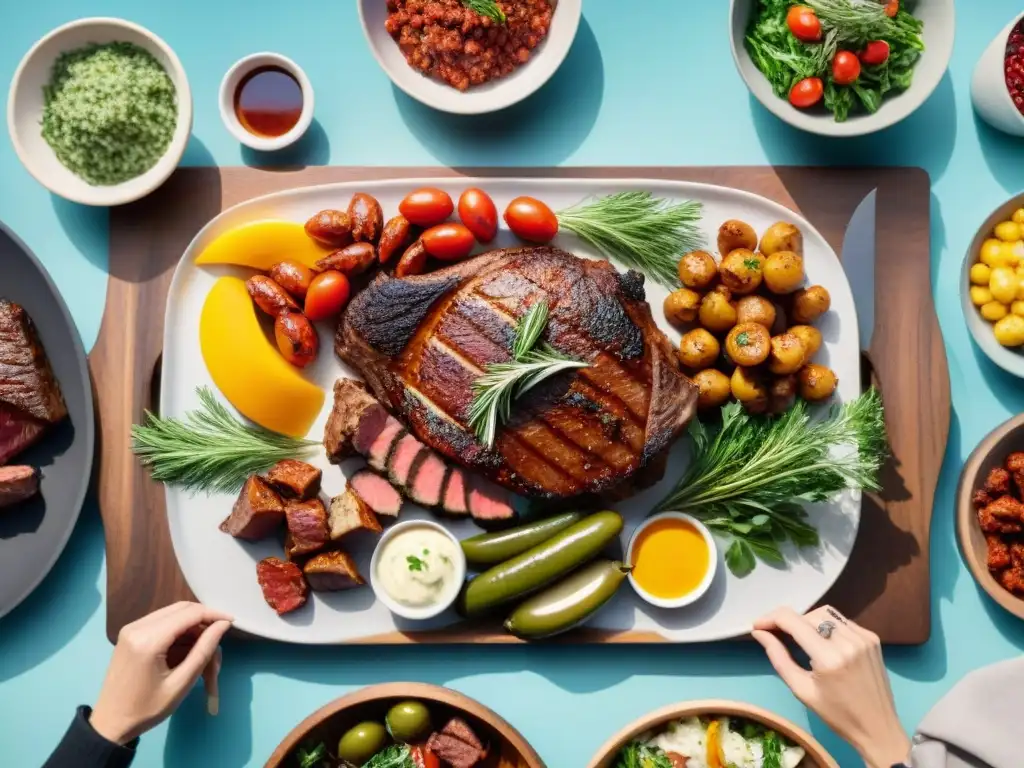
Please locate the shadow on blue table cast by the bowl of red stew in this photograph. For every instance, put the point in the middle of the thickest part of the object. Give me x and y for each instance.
(543, 131)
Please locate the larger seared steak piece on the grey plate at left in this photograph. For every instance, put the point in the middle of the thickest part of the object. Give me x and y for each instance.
(30, 398)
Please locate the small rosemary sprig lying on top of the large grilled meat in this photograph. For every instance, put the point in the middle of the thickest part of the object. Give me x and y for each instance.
(504, 382)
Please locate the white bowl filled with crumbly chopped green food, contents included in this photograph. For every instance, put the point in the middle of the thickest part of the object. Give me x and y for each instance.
(100, 112)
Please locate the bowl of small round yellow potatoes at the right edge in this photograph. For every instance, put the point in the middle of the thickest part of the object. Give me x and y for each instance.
(994, 287)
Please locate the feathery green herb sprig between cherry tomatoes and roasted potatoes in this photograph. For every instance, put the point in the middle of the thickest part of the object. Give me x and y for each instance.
(643, 232)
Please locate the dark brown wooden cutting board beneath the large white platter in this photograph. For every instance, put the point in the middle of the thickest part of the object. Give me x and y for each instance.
(886, 585)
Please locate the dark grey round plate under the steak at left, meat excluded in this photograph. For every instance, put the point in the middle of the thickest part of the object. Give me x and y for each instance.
(33, 535)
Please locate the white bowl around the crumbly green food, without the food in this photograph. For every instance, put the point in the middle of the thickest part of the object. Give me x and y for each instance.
(25, 111)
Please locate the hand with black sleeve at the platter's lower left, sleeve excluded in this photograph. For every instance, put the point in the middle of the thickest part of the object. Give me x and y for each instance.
(156, 663)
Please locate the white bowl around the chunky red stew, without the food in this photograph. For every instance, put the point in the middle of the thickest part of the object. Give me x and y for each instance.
(492, 97)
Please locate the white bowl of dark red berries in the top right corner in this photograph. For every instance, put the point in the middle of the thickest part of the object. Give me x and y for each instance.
(998, 87)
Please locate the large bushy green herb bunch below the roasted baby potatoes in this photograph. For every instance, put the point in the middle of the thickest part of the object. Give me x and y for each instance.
(750, 480)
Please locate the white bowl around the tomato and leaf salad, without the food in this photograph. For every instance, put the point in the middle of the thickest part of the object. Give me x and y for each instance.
(938, 37)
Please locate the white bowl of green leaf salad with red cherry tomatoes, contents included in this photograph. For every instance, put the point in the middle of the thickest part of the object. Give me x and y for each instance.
(842, 68)
